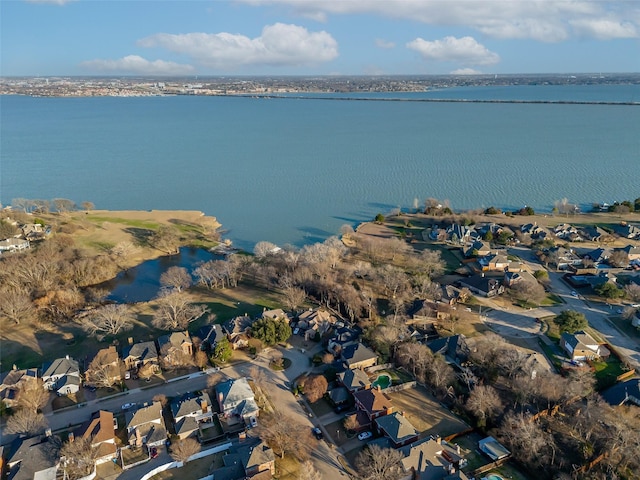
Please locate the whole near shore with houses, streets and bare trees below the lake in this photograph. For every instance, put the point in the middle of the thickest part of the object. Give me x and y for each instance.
(475, 339)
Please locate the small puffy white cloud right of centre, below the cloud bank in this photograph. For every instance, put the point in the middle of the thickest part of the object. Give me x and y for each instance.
(452, 49)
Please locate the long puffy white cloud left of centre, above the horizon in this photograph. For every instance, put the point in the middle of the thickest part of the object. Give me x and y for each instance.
(278, 45)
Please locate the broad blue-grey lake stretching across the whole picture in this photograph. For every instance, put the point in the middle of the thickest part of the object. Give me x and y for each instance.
(294, 170)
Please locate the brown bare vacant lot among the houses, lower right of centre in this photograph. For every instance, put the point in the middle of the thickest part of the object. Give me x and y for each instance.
(425, 413)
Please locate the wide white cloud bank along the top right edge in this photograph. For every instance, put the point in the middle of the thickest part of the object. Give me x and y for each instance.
(543, 20)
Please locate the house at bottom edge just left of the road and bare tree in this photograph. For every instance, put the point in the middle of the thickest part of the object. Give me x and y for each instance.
(251, 458)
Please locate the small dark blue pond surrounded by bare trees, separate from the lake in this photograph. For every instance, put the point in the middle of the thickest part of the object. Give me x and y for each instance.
(142, 282)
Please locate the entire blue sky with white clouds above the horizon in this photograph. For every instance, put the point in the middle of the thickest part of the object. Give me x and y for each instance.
(318, 37)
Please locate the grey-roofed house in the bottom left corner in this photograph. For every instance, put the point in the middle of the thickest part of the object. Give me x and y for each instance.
(35, 458)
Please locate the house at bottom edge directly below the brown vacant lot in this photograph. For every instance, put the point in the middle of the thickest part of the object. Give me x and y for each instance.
(430, 459)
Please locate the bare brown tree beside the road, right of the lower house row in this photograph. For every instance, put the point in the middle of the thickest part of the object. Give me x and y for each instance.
(285, 435)
